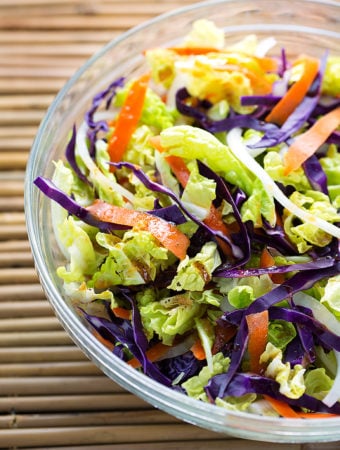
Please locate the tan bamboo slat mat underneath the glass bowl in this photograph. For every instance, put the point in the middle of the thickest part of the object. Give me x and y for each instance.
(51, 396)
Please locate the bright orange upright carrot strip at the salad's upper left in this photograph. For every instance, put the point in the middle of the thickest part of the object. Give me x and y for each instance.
(128, 118)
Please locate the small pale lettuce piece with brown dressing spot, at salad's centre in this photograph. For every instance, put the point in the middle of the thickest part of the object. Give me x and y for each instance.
(194, 273)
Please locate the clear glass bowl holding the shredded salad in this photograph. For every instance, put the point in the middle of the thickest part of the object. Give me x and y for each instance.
(298, 25)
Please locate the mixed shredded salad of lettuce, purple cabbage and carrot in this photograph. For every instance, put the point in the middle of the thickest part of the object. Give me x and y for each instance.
(197, 208)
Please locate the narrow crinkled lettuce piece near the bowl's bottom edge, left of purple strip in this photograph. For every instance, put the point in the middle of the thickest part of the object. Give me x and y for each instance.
(194, 386)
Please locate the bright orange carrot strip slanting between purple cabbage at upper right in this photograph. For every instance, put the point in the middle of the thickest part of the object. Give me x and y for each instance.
(295, 93)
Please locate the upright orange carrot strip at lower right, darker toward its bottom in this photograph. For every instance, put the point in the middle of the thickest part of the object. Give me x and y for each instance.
(258, 337)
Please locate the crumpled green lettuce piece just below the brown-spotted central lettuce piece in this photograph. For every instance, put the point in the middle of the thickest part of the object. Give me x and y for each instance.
(167, 319)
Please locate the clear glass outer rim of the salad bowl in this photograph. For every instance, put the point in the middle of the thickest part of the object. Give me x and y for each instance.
(204, 415)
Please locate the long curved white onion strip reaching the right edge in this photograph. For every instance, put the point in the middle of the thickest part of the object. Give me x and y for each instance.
(240, 150)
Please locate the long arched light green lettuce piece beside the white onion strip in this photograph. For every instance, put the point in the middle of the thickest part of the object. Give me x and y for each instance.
(193, 143)
